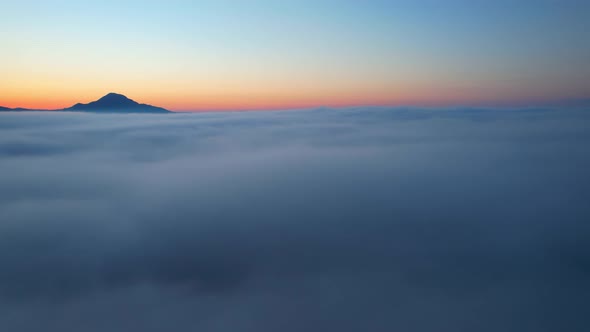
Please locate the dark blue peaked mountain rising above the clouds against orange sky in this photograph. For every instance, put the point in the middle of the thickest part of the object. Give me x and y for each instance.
(116, 103)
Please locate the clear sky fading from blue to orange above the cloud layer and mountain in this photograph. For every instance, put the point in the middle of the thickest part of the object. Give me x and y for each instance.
(193, 55)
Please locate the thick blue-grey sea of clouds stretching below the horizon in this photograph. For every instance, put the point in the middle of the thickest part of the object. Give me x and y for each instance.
(352, 220)
